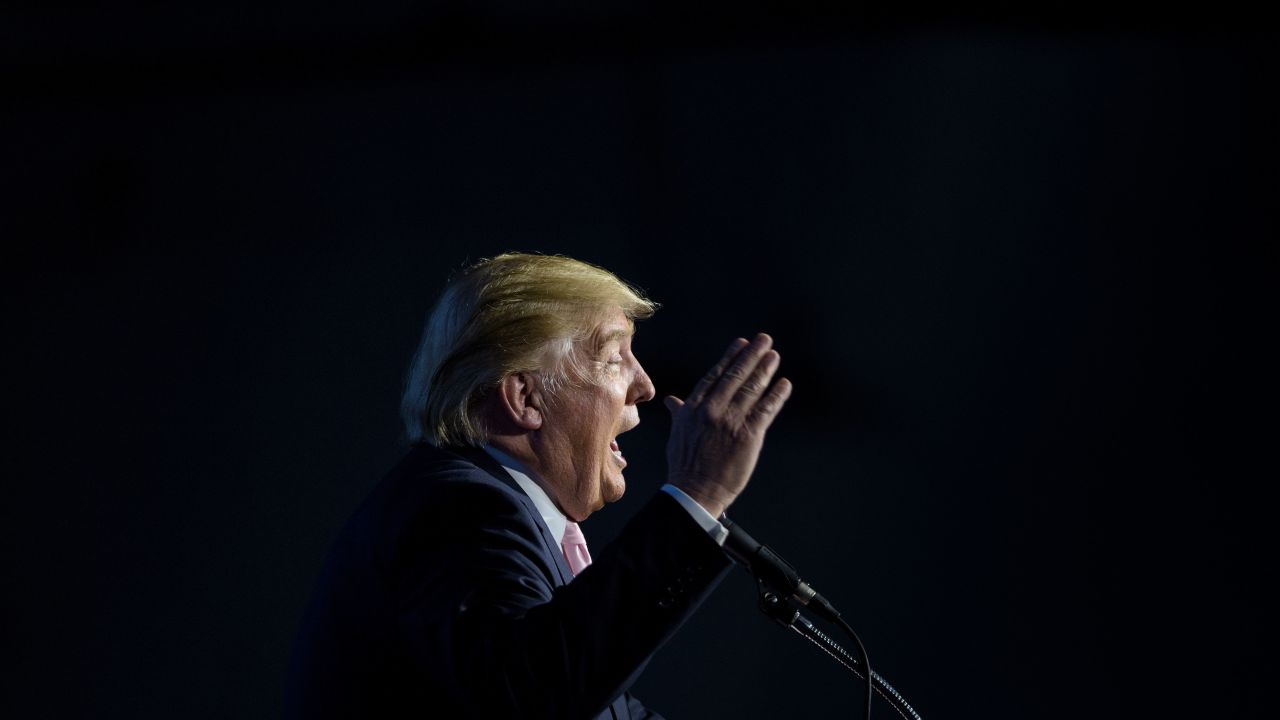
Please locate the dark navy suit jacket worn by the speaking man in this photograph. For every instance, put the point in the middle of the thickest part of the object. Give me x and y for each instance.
(446, 596)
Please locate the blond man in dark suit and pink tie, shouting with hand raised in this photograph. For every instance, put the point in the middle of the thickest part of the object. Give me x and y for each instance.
(461, 587)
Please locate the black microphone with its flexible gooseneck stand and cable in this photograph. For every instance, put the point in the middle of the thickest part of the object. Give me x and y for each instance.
(783, 605)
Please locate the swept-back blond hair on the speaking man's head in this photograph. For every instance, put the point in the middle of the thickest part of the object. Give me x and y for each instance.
(501, 316)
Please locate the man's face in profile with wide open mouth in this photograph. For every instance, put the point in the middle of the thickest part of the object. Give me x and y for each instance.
(582, 461)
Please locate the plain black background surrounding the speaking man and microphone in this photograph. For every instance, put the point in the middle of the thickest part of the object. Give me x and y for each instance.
(1020, 266)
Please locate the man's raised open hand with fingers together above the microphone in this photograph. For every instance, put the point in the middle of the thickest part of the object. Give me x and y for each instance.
(717, 432)
